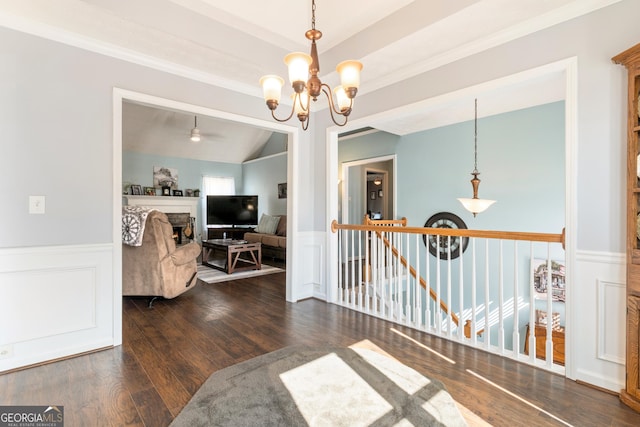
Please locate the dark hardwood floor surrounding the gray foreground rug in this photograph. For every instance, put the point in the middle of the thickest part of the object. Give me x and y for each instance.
(171, 349)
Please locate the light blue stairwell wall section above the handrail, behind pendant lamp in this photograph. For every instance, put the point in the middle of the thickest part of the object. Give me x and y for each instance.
(521, 159)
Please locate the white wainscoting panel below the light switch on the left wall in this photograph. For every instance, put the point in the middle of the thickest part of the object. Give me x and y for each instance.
(54, 302)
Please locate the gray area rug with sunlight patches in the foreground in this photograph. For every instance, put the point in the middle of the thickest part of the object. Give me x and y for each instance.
(300, 386)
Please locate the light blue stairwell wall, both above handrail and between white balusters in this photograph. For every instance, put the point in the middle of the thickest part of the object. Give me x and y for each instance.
(521, 158)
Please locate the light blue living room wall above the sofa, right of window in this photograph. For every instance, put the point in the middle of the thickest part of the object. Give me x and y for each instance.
(262, 177)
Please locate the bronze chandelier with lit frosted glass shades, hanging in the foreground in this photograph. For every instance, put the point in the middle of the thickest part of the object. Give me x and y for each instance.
(303, 75)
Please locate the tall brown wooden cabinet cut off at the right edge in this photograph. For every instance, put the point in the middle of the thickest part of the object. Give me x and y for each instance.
(631, 60)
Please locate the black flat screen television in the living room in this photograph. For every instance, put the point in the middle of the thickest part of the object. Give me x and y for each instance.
(232, 210)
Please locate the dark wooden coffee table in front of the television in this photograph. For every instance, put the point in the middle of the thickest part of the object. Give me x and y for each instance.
(238, 255)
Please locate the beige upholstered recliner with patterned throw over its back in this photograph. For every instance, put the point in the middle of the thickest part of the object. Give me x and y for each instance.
(156, 267)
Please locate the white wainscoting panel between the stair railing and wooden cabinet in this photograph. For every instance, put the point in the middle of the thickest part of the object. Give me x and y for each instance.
(598, 334)
